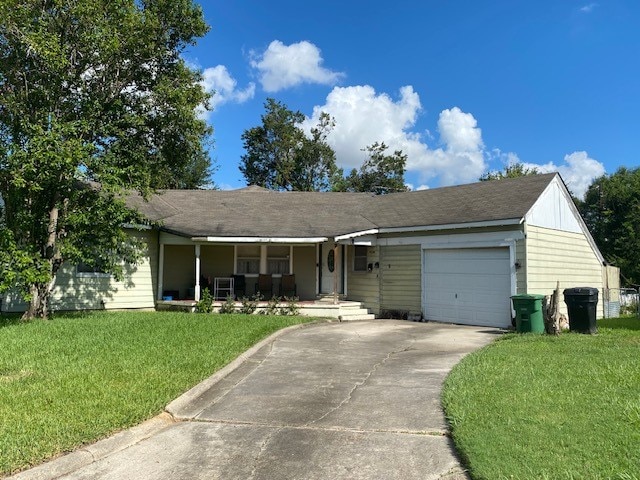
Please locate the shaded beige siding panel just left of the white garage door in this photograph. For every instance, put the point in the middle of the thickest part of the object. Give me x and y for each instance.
(400, 271)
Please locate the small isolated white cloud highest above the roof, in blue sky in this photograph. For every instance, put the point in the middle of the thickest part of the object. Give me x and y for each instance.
(282, 66)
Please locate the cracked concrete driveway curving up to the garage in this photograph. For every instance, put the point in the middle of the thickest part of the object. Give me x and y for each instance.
(354, 400)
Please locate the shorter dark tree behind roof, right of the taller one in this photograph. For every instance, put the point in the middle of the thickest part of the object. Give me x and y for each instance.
(379, 173)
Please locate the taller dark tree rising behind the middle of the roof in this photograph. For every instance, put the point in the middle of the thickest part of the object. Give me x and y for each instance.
(280, 156)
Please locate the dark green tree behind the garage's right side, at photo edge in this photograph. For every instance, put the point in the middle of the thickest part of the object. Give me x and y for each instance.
(611, 210)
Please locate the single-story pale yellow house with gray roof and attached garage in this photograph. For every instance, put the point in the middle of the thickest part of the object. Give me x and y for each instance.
(452, 254)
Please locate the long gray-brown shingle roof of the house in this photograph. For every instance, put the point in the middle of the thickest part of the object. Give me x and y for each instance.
(256, 212)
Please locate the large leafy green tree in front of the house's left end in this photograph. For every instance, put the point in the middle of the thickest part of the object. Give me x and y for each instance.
(95, 99)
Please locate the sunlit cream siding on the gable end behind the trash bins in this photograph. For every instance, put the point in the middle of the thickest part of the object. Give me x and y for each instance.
(554, 255)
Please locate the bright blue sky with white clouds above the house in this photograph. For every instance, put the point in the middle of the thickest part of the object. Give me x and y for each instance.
(461, 86)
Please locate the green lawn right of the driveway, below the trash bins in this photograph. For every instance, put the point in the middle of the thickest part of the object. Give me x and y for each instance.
(536, 406)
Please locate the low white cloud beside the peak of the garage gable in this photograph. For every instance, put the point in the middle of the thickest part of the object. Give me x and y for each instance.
(577, 171)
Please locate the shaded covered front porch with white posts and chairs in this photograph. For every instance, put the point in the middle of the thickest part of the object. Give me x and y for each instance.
(244, 267)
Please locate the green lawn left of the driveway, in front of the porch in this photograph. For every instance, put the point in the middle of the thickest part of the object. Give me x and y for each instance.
(77, 378)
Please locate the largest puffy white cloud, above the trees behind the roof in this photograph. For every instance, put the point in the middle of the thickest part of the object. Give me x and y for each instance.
(364, 117)
